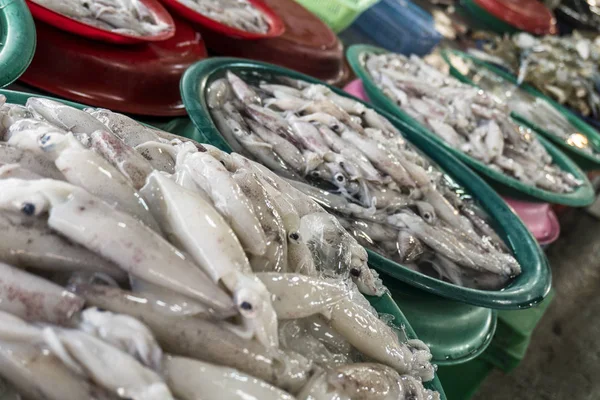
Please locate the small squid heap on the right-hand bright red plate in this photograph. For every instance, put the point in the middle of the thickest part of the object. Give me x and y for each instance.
(239, 14)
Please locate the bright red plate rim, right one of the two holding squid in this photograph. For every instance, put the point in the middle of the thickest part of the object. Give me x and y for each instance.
(276, 25)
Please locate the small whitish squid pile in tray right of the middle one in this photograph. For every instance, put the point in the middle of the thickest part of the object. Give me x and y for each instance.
(468, 119)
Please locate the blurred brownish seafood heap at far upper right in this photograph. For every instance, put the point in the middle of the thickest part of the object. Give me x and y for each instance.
(564, 68)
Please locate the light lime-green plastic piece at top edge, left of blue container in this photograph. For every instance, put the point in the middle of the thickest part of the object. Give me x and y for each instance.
(338, 14)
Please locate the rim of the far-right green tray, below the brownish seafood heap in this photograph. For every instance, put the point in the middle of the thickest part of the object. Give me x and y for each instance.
(583, 159)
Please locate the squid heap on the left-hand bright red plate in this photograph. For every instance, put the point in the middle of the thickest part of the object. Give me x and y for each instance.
(129, 17)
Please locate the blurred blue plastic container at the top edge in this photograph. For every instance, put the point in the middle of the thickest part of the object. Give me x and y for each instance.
(397, 25)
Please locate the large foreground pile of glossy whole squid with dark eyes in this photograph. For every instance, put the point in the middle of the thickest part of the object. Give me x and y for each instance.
(139, 266)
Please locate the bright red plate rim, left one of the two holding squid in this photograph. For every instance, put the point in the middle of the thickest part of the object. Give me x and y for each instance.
(72, 25)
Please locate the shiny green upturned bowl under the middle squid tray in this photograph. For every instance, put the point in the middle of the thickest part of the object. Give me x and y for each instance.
(455, 332)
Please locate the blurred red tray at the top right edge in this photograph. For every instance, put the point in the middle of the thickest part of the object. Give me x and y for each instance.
(528, 15)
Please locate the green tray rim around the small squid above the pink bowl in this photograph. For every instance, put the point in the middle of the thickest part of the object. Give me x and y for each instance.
(505, 184)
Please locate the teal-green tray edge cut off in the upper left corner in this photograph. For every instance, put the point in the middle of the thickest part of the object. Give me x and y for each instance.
(17, 40)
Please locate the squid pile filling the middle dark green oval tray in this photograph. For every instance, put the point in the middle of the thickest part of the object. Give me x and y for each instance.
(355, 163)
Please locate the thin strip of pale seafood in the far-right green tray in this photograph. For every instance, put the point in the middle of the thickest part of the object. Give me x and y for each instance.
(534, 109)
